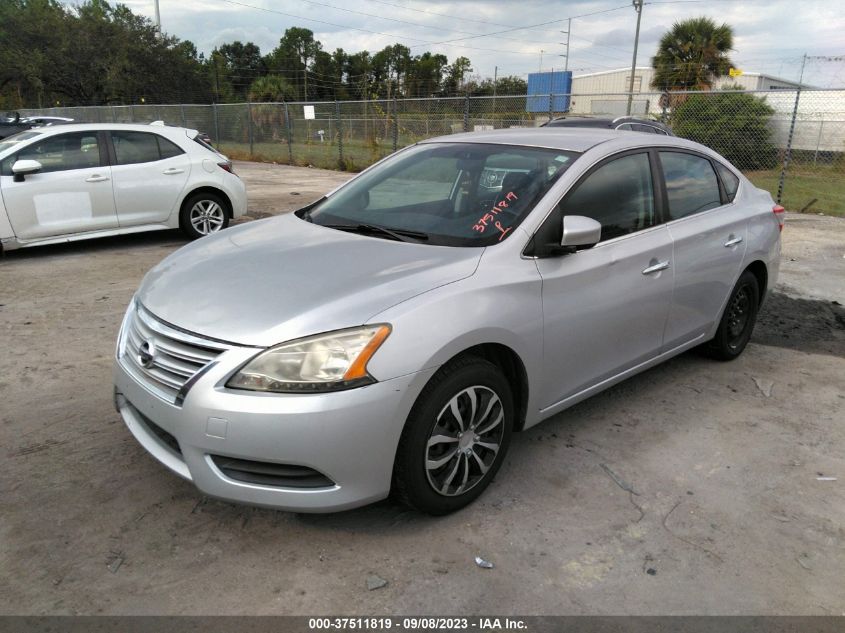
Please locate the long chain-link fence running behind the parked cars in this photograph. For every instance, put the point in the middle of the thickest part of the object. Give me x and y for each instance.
(791, 143)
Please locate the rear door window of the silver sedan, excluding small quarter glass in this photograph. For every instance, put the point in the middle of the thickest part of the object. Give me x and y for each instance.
(691, 184)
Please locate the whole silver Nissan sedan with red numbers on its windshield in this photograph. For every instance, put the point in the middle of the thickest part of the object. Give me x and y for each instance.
(394, 334)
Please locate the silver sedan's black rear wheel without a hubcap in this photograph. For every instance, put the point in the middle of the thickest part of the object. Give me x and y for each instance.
(737, 322)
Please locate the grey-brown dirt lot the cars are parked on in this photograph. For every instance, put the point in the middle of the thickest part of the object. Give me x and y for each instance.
(727, 514)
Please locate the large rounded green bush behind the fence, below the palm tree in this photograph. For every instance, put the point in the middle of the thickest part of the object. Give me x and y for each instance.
(732, 123)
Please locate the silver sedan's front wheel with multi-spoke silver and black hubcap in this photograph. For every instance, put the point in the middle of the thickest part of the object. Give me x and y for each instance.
(455, 438)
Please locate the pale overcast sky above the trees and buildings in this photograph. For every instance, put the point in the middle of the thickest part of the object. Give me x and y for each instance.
(770, 35)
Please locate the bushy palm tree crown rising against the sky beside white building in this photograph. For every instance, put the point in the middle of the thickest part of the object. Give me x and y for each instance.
(691, 55)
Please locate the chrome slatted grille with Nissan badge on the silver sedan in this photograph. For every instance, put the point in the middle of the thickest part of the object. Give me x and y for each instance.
(172, 357)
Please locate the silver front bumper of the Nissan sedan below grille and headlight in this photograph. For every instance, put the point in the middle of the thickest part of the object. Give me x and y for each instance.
(348, 436)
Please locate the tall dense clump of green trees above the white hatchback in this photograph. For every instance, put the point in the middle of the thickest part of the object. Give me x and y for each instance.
(91, 54)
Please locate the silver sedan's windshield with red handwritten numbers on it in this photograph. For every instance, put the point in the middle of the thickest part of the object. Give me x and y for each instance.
(453, 194)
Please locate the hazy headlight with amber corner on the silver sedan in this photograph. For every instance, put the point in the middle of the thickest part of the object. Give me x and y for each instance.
(326, 362)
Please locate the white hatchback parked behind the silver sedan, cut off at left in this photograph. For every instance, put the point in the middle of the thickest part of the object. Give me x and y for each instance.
(79, 181)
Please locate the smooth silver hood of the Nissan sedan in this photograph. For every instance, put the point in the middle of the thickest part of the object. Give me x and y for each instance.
(274, 280)
